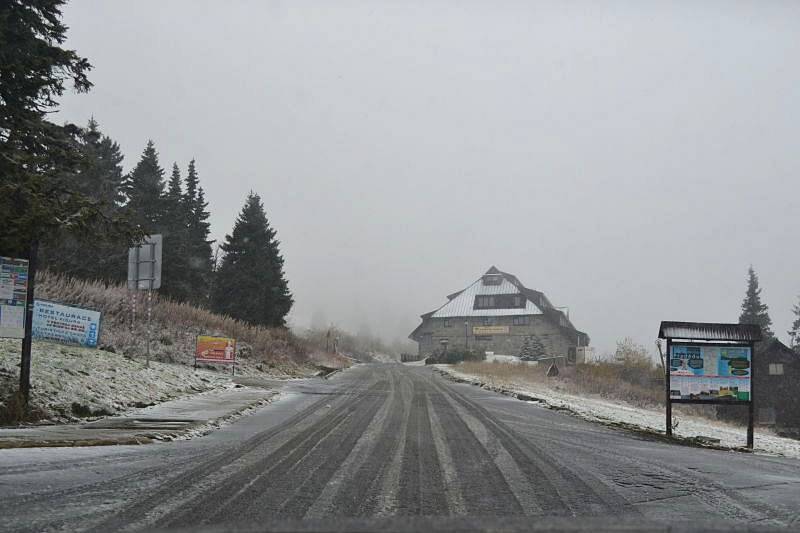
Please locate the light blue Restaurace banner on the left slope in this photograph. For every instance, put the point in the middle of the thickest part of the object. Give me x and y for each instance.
(65, 324)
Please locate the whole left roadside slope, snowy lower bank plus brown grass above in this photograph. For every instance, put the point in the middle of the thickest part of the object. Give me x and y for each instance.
(113, 378)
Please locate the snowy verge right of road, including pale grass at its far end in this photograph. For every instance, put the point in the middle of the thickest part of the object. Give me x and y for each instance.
(554, 393)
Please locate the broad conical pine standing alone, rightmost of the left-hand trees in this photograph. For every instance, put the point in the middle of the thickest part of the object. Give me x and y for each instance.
(250, 284)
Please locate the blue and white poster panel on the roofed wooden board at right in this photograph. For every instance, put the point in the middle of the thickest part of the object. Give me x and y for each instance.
(706, 372)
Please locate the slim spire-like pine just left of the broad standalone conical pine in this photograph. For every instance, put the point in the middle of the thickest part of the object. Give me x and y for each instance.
(198, 250)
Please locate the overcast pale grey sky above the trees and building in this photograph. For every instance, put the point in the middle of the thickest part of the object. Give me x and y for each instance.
(629, 159)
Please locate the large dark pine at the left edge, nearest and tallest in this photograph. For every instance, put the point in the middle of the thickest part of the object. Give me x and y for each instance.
(38, 158)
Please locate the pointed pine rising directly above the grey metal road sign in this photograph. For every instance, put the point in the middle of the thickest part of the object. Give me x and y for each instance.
(144, 188)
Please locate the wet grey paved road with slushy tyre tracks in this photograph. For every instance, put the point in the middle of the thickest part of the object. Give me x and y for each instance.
(395, 447)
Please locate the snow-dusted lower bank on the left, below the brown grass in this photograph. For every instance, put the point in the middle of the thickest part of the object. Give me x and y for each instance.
(71, 382)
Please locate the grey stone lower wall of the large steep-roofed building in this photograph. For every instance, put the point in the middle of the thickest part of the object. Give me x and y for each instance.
(459, 335)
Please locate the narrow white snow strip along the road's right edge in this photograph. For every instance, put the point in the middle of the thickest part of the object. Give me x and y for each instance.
(622, 414)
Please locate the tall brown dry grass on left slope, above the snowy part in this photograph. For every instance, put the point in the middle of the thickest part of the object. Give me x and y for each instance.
(174, 325)
